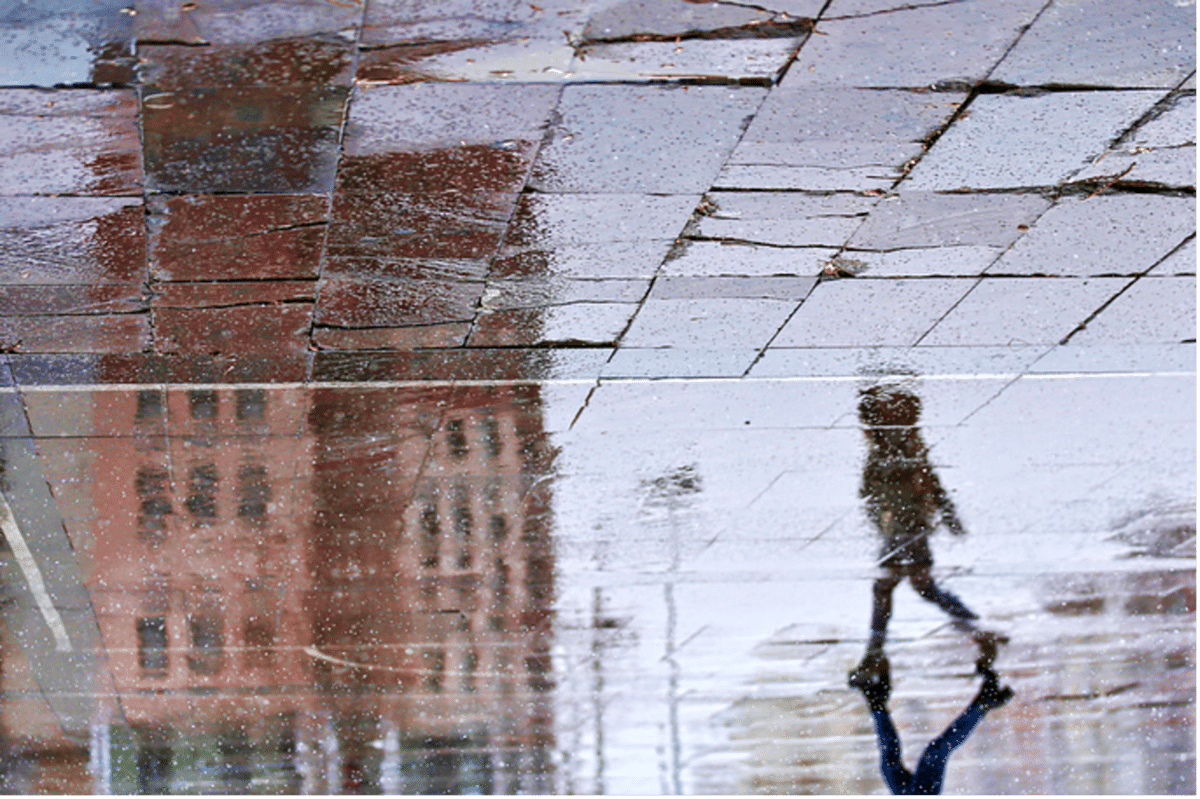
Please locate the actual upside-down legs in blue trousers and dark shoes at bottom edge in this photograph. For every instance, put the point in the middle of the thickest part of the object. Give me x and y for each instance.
(927, 780)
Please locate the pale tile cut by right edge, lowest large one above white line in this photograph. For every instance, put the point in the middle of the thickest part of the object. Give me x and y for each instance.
(1155, 310)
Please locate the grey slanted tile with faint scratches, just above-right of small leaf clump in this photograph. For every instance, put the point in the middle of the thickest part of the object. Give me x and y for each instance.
(929, 220)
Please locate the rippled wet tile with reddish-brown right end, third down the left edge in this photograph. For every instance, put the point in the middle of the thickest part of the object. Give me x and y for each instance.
(71, 241)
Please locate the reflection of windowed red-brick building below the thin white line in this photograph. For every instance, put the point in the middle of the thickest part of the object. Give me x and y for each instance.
(328, 591)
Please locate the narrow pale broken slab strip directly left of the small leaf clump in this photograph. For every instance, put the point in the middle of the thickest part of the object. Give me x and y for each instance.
(695, 259)
